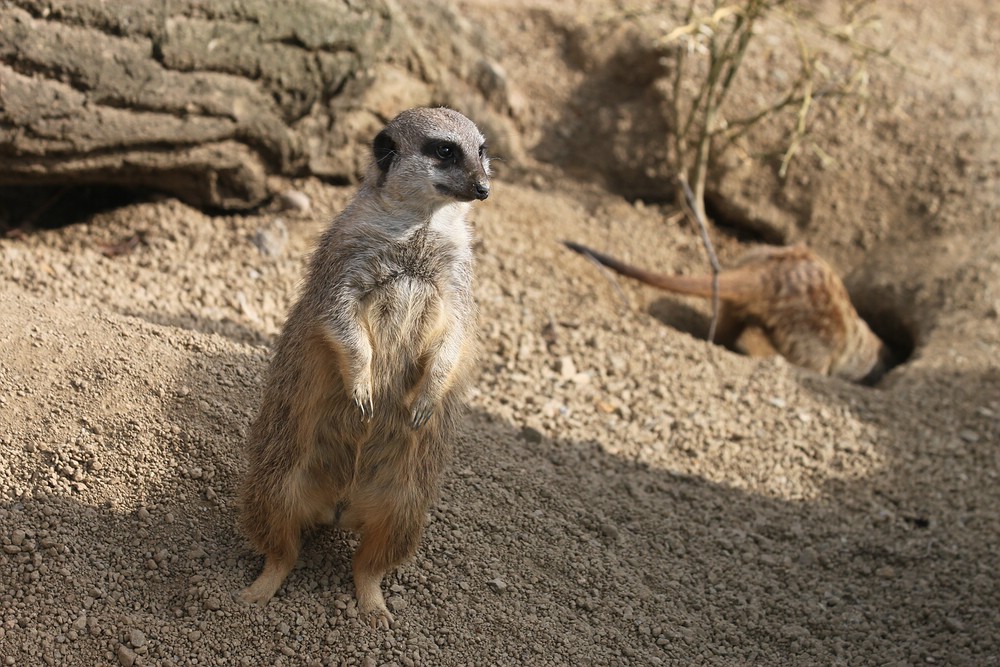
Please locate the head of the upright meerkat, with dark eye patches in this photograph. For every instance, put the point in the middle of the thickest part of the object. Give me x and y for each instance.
(431, 157)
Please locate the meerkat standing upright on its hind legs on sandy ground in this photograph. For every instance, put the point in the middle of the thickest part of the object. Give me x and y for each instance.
(367, 377)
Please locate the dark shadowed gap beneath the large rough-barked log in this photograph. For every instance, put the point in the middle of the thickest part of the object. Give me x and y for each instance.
(27, 208)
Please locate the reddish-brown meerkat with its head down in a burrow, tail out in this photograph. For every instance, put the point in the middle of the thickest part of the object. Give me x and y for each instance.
(785, 301)
